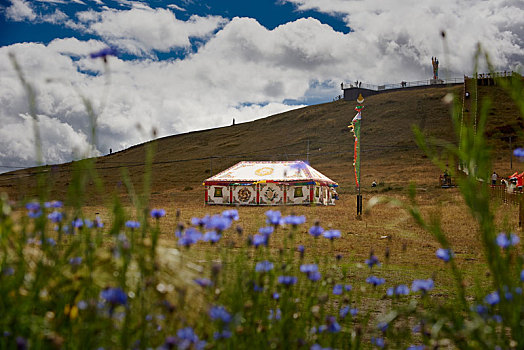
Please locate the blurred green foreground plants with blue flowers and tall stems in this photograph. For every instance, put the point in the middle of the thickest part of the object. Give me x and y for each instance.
(67, 281)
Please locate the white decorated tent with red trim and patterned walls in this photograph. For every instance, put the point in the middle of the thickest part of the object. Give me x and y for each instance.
(270, 183)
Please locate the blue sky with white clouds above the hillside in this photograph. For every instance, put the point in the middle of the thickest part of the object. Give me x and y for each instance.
(188, 65)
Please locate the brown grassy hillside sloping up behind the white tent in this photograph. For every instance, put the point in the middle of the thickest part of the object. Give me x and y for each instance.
(389, 153)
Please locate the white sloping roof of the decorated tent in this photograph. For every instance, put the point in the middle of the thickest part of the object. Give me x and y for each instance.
(276, 171)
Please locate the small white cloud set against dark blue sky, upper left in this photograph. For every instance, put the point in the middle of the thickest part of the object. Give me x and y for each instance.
(141, 30)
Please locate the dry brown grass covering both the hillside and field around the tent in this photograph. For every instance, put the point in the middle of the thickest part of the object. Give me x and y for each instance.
(389, 156)
